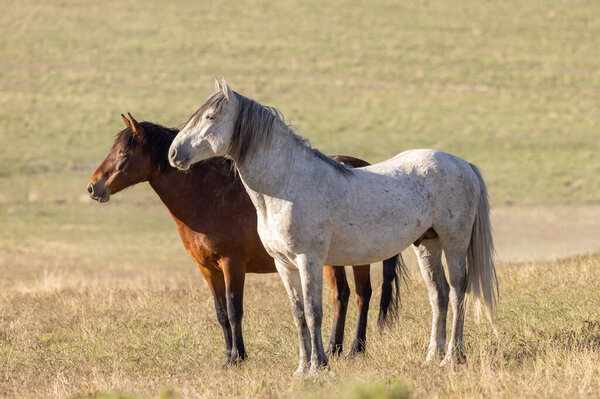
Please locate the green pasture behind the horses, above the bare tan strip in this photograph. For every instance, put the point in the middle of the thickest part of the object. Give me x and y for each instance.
(510, 86)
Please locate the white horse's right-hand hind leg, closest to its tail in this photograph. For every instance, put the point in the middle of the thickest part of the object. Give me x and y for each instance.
(456, 261)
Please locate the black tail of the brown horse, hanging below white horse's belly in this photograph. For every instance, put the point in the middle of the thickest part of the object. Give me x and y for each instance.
(394, 270)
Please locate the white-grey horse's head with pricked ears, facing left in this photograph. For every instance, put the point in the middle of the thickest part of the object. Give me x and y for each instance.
(208, 132)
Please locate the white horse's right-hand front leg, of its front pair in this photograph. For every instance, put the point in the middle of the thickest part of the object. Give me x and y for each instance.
(311, 275)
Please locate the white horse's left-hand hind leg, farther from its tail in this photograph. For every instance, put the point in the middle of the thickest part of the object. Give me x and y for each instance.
(429, 254)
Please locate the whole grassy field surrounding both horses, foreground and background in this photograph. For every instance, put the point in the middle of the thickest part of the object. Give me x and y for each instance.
(102, 301)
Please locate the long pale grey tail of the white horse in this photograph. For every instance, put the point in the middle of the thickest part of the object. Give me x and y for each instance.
(482, 282)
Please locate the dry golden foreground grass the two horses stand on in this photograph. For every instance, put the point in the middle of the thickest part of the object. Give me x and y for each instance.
(67, 332)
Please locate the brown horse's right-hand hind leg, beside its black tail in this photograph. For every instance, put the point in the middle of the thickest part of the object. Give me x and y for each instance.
(362, 281)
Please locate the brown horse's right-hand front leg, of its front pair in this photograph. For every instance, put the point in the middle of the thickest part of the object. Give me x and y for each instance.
(235, 273)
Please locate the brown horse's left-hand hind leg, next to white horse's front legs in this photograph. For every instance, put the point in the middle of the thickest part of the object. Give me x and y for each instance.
(340, 292)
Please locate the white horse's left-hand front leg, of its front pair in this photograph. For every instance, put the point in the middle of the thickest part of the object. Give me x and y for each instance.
(291, 280)
